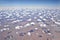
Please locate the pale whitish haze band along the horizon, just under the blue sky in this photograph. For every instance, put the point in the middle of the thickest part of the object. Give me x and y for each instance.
(18, 7)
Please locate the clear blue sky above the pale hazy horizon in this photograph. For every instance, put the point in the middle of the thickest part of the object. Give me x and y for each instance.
(29, 2)
